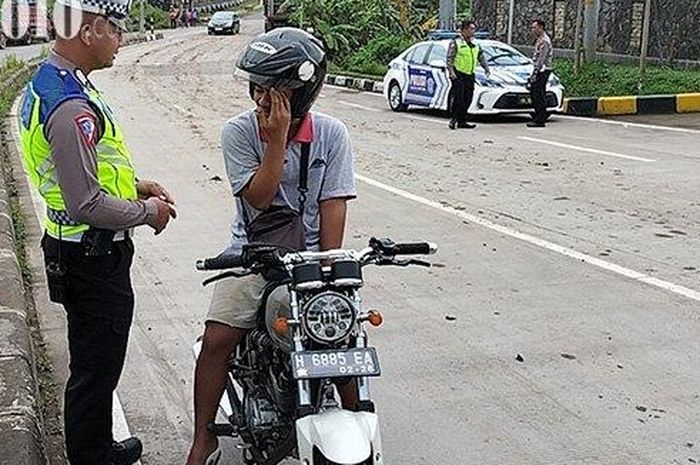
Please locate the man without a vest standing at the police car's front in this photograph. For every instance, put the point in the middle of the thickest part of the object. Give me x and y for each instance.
(540, 74)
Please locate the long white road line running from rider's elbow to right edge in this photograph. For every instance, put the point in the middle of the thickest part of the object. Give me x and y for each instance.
(579, 256)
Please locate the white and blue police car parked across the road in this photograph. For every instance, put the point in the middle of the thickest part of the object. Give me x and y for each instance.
(419, 78)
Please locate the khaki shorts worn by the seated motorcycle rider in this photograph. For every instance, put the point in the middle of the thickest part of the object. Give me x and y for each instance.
(235, 301)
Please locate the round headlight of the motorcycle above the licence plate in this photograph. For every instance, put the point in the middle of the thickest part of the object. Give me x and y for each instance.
(329, 317)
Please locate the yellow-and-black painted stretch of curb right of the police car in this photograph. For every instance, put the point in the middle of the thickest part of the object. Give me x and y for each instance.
(632, 105)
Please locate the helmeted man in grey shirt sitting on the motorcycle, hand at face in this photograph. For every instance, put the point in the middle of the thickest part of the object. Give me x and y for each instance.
(262, 150)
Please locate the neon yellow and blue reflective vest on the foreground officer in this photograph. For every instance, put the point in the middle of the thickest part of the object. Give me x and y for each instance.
(115, 172)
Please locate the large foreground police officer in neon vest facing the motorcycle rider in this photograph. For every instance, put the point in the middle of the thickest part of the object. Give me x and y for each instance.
(76, 156)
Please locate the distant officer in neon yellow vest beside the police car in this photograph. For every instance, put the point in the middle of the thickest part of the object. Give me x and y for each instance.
(462, 56)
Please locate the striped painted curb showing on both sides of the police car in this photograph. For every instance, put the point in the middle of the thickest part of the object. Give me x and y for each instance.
(586, 106)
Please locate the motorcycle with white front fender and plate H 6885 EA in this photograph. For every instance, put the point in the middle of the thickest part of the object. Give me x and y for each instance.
(280, 398)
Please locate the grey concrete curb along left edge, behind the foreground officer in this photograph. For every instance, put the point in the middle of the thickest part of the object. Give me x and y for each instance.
(21, 426)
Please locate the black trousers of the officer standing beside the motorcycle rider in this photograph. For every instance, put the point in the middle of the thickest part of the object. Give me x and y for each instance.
(99, 305)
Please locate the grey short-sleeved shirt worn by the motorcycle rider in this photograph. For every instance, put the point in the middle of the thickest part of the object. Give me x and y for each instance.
(331, 174)
